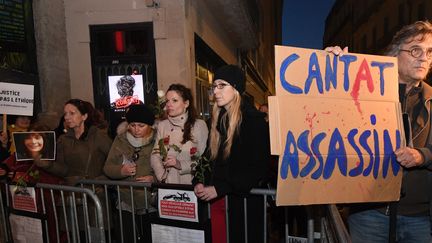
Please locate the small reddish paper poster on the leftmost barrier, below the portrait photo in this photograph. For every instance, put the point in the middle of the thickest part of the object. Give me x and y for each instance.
(23, 198)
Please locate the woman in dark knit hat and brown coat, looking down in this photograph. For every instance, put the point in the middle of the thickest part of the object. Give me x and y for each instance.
(129, 160)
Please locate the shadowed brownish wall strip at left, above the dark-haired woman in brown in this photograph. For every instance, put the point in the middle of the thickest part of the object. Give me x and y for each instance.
(52, 58)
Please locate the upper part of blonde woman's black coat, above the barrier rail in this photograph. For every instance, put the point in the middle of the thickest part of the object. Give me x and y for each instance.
(247, 164)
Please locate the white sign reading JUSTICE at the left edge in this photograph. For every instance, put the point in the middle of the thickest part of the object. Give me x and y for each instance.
(16, 99)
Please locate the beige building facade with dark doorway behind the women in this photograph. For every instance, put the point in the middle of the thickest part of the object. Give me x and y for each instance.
(79, 43)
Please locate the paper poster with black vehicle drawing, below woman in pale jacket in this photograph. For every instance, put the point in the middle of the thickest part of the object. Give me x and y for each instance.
(178, 205)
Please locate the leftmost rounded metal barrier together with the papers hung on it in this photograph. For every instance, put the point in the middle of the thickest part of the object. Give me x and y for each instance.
(54, 213)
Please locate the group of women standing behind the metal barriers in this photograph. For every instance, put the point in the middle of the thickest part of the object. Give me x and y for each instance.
(164, 152)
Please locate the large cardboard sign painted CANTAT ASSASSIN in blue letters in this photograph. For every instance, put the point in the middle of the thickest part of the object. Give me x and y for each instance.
(335, 122)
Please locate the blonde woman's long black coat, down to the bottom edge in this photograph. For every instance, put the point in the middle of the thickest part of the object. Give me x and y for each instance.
(244, 169)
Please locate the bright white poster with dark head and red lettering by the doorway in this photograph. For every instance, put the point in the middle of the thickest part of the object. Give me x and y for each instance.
(125, 90)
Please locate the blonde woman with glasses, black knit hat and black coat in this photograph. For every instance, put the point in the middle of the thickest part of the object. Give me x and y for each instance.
(239, 151)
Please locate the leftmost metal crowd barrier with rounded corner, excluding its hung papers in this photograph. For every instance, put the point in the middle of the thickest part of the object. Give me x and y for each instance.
(61, 210)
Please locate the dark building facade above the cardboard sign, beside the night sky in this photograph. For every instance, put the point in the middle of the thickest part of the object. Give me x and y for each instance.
(368, 26)
